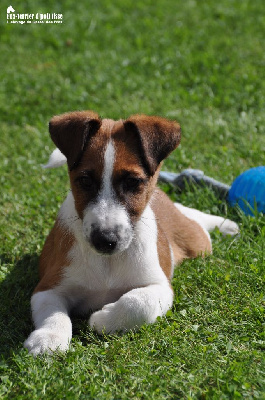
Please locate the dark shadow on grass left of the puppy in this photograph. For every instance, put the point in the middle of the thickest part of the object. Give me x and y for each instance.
(15, 293)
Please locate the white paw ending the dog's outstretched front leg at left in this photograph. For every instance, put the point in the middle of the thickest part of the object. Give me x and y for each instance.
(46, 341)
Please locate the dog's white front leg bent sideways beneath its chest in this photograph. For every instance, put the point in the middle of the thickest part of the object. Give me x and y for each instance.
(133, 309)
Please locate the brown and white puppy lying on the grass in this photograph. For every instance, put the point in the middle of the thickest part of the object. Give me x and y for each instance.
(117, 237)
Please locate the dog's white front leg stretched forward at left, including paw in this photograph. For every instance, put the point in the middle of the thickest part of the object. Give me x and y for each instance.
(53, 325)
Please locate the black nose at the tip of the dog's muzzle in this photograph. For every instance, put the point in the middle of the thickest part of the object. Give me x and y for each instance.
(104, 241)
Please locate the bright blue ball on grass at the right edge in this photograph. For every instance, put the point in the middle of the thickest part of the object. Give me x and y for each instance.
(248, 191)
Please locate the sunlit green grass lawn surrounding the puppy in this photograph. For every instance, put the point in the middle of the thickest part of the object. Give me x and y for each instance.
(201, 63)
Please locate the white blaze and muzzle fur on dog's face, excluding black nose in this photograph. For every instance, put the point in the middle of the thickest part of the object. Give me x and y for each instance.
(106, 215)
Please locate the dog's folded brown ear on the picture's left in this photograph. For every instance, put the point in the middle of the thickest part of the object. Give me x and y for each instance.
(71, 132)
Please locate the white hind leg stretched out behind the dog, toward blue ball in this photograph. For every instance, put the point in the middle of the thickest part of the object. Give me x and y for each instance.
(209, 222)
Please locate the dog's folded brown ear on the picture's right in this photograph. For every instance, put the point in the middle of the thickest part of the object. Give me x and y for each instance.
(158, 138)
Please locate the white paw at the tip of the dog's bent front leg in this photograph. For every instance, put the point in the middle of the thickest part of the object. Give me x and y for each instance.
(103, 320)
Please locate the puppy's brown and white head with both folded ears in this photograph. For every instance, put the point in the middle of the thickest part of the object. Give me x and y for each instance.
(113, 168)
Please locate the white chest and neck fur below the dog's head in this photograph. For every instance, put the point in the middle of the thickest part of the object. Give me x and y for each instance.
(92, 280)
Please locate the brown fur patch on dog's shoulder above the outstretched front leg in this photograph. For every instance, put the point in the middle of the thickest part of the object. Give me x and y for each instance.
(54, 257)
